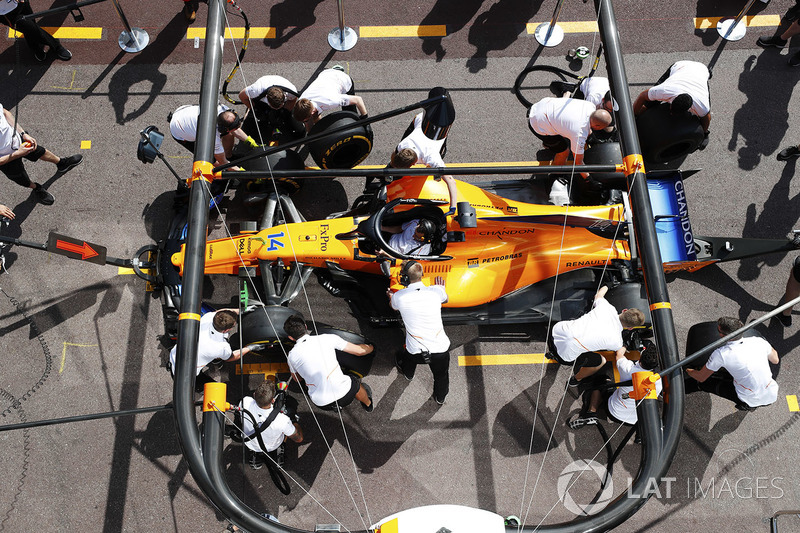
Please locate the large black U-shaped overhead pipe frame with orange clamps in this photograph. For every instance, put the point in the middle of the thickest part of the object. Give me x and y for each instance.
(204, 460)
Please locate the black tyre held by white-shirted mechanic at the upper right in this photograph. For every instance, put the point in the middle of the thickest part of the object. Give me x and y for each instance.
(664, 137)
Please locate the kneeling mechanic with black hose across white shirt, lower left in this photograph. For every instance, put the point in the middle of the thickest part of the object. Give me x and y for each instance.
(268, 428)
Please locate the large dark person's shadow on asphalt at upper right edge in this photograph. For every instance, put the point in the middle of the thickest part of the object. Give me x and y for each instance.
(761, 123)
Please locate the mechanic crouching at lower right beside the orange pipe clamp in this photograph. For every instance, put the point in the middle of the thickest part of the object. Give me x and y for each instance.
(621, 408)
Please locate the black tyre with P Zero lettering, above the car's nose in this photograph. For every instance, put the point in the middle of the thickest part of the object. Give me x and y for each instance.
(345, 149)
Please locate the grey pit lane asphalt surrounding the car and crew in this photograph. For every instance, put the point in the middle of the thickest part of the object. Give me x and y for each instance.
(90, 336)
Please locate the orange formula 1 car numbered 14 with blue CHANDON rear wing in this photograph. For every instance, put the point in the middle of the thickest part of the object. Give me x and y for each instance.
(504, 260)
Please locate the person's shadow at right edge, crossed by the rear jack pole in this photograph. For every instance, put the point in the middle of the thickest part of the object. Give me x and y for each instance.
(768, 226)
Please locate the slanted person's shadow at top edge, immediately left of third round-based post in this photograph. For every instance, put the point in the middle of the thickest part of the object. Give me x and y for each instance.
(498, 28)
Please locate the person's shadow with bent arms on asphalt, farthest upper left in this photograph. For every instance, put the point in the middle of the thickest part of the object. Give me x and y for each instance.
(142, 67)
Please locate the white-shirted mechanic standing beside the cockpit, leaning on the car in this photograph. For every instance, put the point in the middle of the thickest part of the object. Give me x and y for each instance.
(420, 307)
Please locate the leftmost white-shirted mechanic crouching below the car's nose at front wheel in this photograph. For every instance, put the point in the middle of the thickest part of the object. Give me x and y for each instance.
(212, 344)
